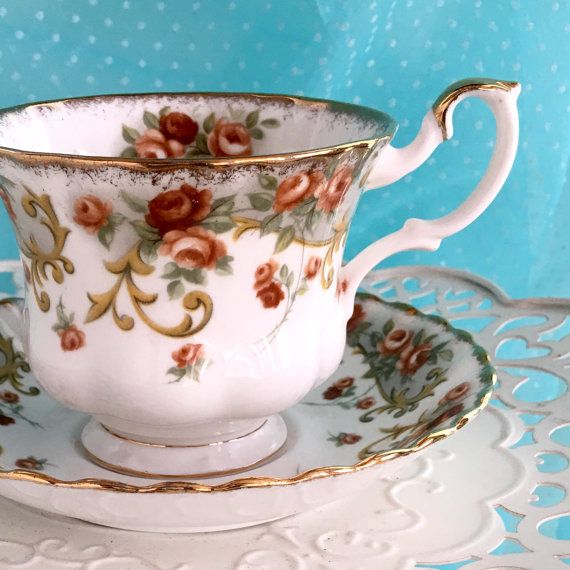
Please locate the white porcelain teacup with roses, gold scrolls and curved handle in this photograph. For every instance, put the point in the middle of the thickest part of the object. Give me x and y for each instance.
(183, 257)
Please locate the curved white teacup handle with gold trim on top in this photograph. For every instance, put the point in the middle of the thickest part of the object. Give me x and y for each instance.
(394, 163)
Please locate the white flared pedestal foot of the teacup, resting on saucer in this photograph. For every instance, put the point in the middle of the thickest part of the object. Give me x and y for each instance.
(132, 457)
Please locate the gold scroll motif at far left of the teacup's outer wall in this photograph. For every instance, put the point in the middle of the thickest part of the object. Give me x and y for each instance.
(41, 260)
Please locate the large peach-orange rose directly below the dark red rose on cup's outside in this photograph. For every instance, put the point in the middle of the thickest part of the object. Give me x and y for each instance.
(193, 248)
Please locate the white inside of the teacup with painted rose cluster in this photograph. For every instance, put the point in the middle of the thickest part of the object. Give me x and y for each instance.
(188, 126)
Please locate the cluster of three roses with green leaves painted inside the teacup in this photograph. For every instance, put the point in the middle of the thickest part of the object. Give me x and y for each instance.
(175, 134)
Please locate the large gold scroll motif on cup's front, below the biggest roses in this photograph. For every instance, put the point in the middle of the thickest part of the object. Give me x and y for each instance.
(125, 269)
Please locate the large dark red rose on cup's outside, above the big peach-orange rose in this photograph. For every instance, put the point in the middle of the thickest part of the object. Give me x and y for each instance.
(178, 209)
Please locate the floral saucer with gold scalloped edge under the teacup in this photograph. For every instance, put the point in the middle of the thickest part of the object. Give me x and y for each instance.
(407, 380)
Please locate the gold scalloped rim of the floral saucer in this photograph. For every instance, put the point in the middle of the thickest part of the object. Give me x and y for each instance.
(487, 377)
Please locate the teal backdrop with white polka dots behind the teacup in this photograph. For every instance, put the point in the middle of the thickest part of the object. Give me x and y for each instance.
(395, 55)
